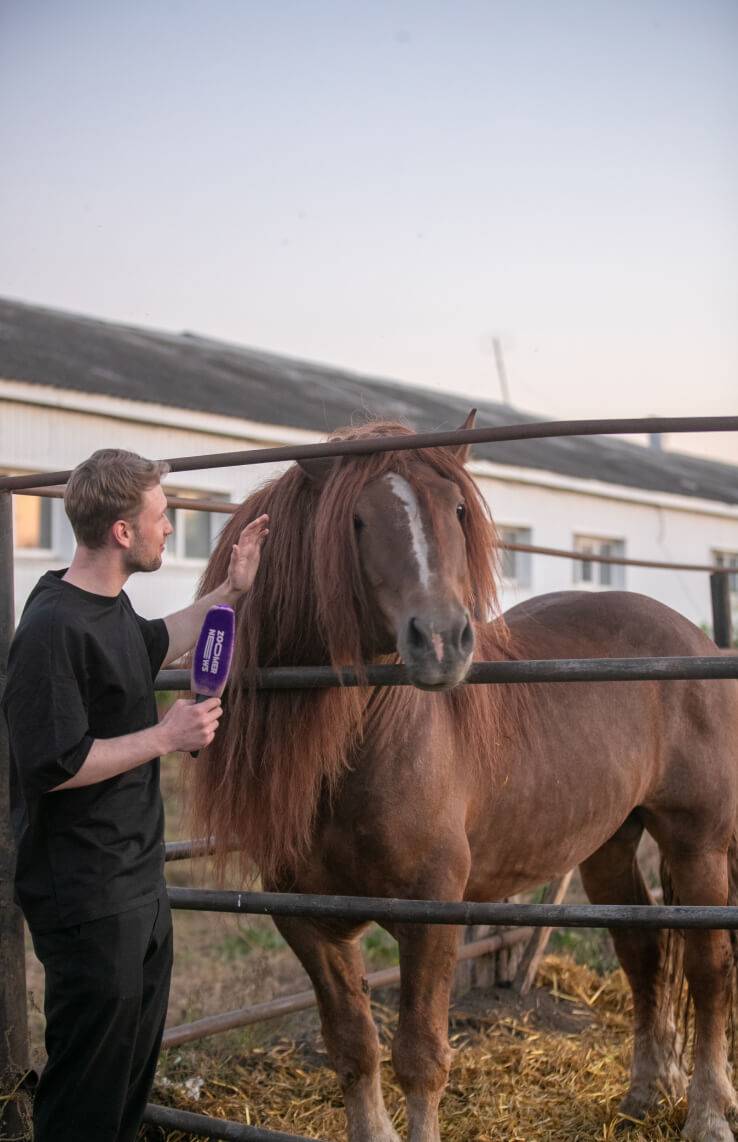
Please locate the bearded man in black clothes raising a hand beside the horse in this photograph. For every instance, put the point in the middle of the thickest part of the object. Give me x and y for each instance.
(86, 807)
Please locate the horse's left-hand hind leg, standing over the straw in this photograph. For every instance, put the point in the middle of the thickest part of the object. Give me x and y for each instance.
(612, 876)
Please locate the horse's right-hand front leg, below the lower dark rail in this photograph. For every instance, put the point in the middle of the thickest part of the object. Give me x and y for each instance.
(421, 1050)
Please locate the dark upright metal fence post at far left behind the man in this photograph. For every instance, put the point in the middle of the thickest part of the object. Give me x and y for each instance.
(14, 1027)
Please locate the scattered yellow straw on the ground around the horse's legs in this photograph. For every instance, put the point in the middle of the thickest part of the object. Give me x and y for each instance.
(550, 1067)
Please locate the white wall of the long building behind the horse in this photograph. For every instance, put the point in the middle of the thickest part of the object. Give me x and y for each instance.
(49, 430)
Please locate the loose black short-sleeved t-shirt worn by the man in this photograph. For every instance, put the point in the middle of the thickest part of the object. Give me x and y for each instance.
(82, 667)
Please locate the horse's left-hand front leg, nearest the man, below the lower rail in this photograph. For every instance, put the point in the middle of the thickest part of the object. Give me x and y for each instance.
(332, 958)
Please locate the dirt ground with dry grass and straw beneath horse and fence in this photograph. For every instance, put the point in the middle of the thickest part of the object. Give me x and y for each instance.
(226, 962)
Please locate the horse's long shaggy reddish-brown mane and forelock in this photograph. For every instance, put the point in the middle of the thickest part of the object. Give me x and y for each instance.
(278, 753)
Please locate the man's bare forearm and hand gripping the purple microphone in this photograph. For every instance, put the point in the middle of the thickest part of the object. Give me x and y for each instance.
(186, 726)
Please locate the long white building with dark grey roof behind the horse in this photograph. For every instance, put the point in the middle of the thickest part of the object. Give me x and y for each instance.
(70, 385)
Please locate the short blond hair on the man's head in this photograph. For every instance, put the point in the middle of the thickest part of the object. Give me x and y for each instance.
(106, 488)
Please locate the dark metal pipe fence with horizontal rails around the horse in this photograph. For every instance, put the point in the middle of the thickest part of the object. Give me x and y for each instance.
(14, 1051)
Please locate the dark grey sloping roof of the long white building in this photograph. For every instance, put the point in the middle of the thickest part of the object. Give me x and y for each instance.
(52, 348)
